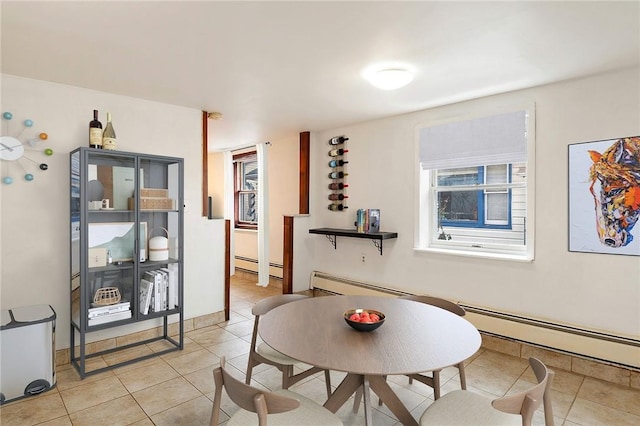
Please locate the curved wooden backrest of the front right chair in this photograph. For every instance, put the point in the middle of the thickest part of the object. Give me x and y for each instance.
(527, 402)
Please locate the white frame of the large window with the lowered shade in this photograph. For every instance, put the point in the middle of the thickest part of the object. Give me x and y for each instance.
(426, 225)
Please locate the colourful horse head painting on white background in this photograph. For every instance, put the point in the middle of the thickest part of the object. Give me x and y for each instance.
(604, 196)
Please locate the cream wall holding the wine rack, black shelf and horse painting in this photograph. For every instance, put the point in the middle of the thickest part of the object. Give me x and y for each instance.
(588, 290)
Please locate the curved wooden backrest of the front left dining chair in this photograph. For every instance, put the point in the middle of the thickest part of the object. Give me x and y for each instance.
(247, 397)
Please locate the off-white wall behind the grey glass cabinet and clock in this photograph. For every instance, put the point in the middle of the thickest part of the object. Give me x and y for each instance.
(34, 216)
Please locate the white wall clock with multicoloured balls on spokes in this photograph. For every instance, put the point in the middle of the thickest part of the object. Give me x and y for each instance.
(13, 153)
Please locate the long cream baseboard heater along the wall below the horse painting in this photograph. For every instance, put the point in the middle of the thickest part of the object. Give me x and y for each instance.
(613, 349)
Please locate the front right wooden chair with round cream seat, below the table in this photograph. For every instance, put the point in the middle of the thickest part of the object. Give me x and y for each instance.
(463, 407)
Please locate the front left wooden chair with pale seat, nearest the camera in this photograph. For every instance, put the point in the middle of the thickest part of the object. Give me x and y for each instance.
(274, 408)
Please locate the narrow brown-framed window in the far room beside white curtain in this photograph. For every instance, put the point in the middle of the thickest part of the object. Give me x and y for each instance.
(245, 167)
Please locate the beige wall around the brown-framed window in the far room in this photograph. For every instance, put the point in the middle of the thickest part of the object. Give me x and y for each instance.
(283, 172)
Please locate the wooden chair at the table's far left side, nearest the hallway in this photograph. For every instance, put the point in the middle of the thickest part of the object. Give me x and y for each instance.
(261, 353)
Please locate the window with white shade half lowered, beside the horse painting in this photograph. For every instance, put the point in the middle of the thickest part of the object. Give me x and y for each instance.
(474, 187)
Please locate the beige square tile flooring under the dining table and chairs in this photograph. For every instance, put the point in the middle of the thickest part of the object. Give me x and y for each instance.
(177, 388)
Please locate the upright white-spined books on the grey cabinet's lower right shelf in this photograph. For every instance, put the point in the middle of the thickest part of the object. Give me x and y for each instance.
(159, 290)
